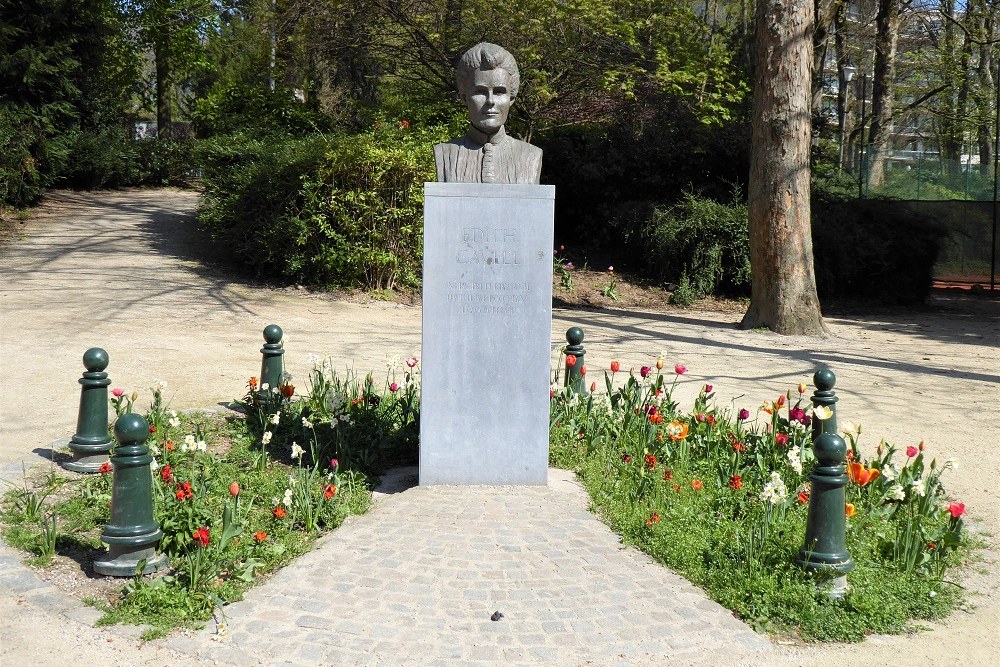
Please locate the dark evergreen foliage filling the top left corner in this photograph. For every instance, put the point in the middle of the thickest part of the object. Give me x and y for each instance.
(64, 66)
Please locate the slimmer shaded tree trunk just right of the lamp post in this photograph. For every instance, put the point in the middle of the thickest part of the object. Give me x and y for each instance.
(886, 39)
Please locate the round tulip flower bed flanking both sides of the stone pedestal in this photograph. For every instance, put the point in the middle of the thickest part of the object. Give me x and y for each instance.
(712, 493)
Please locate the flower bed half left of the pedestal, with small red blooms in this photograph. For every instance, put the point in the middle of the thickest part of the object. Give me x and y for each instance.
(236, 498)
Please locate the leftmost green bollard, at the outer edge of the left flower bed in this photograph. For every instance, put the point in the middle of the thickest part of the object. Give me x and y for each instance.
(92, 442)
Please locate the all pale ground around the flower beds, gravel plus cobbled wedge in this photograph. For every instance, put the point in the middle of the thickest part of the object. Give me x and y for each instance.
(126, 271)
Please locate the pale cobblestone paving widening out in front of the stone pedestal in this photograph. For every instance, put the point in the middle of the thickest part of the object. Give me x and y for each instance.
(416, 580)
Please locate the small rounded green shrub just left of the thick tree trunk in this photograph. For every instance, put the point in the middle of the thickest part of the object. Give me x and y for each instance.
(699, 243)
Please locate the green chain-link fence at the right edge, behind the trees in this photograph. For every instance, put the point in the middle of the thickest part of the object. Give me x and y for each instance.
(958, 194)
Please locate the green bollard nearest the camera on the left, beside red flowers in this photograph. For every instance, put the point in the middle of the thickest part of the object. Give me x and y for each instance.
(133, 533)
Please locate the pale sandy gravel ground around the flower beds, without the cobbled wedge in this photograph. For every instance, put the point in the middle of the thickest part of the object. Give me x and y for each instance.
(129, 272)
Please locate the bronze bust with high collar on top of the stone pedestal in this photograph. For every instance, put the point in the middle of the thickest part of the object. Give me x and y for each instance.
(488, 81)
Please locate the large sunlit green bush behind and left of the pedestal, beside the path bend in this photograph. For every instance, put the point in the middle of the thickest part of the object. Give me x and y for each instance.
(343, 210)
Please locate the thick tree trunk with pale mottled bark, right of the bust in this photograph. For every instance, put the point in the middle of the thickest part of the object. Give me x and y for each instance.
(783, 284)
